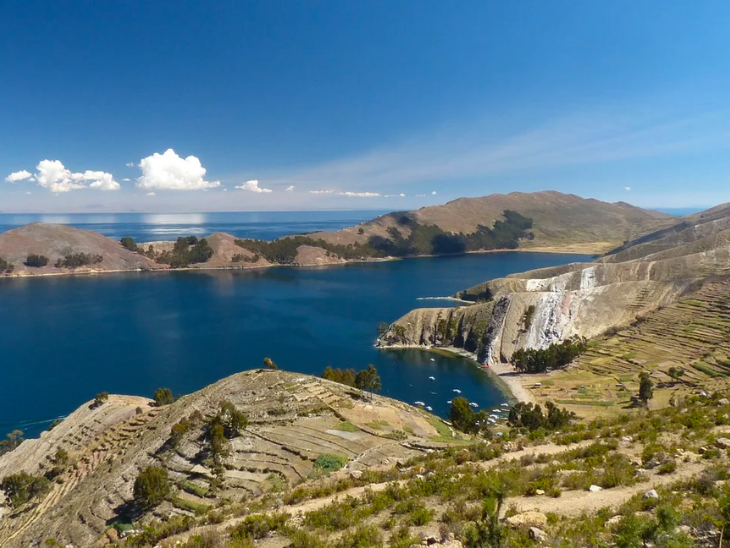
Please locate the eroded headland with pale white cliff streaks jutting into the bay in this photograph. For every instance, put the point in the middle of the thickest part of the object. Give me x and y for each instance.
(537, 308)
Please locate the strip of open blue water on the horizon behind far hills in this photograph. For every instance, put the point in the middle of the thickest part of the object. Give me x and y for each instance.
(146, 227)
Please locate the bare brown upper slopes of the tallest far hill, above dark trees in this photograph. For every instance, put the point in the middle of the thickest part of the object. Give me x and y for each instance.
(560, 220)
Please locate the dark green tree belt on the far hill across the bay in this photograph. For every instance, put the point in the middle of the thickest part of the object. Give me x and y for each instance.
(421, 240)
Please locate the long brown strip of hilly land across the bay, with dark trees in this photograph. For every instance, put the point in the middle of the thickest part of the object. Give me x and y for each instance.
(542, 221)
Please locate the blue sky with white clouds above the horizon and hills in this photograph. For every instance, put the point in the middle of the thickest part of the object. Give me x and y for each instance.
(233, 105)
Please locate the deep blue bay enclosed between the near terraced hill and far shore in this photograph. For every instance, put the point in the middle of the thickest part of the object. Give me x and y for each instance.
(65, 339)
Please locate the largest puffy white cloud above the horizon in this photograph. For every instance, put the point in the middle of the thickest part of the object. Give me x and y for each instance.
(168, 171)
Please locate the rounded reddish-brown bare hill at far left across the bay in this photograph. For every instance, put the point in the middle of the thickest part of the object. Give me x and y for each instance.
(56, 241)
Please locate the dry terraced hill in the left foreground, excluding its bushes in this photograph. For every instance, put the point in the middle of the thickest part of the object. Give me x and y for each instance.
(293, 419)
